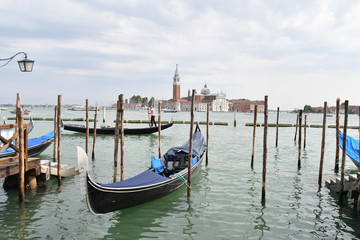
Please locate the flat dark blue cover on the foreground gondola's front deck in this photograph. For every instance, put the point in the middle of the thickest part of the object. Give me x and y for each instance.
(145, 178)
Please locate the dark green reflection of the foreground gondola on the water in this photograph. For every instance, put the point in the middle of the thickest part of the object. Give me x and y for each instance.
(166, 216)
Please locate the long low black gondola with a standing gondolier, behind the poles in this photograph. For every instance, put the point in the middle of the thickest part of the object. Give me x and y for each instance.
(111, 130)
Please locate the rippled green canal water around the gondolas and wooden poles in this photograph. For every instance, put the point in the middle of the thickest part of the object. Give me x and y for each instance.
(226, 195)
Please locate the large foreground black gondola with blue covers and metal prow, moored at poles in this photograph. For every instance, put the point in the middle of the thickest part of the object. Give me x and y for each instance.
(165, 176)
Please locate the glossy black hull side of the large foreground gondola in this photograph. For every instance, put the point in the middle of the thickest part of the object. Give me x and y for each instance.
(102, 199)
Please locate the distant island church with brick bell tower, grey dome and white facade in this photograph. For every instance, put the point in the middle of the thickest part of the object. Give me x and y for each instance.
(216, 101)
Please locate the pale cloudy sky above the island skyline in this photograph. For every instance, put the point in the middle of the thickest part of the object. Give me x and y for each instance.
(296, 52)
